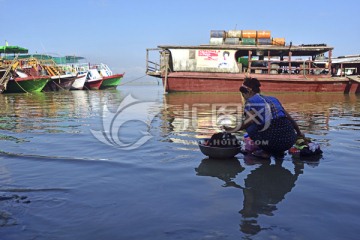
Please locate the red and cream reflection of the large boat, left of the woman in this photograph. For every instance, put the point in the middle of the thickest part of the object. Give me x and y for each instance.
(197, 115)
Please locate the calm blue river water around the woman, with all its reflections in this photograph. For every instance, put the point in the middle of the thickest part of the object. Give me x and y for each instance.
(124, 164)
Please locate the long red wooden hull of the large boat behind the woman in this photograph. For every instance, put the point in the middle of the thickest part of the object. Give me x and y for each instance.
(225, 82)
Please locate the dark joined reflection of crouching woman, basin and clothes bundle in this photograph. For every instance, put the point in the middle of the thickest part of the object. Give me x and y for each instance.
(264, 187)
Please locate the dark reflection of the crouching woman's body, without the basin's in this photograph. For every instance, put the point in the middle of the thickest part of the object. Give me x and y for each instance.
(265, 187)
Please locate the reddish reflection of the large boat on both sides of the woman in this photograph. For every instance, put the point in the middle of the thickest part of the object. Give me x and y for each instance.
(196, 114)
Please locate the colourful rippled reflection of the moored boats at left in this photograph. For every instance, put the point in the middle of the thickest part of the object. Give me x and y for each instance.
(53, 112)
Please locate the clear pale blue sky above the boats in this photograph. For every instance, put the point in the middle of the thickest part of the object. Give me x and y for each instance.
(118, 32)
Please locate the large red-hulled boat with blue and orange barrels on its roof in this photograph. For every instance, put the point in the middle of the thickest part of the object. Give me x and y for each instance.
(231, 56)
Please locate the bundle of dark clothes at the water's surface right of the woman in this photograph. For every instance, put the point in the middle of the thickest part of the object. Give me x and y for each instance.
(304, 147)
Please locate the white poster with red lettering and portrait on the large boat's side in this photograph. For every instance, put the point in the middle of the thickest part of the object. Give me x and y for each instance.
(214, 58)
